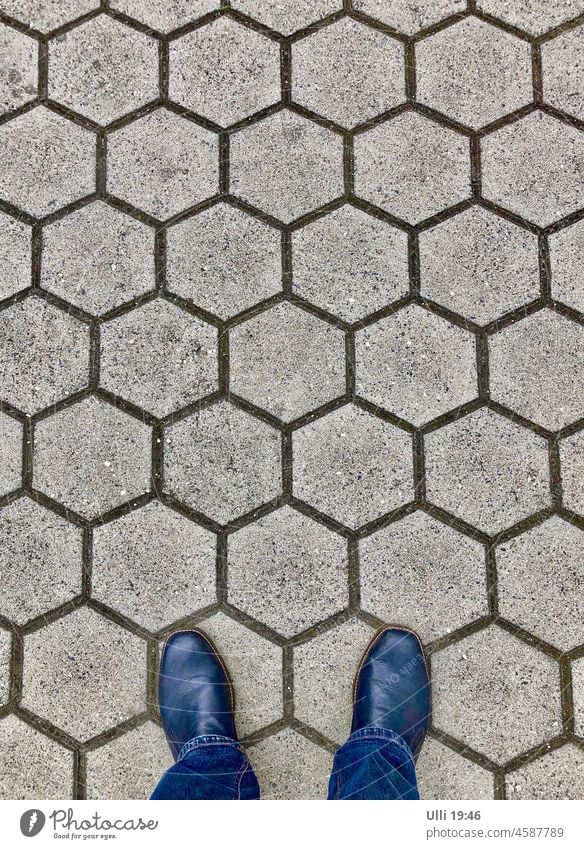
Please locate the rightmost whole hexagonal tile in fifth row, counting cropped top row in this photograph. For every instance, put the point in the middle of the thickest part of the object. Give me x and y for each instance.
(416, 364)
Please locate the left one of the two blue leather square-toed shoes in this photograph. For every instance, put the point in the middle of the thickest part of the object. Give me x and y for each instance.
(194, 691)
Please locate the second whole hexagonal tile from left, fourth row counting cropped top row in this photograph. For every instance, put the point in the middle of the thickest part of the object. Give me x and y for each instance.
(206, 255)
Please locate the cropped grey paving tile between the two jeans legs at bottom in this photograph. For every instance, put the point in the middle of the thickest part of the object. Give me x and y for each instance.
(289, 766)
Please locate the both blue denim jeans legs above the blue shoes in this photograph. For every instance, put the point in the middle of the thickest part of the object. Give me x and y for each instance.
(372, 764)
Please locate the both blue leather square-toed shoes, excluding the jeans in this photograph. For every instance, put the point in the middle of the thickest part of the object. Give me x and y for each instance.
(391, 688)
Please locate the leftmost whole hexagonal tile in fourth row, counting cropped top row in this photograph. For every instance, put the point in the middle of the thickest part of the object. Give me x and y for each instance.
(98, 258)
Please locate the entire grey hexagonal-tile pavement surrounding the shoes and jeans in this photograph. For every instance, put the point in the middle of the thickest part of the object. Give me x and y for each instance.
(291, 311)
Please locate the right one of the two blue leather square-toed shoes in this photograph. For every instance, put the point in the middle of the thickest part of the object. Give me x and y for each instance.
(392, 687)
